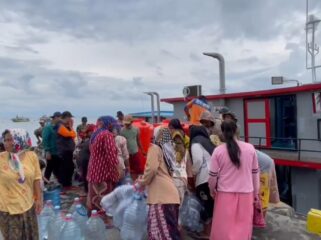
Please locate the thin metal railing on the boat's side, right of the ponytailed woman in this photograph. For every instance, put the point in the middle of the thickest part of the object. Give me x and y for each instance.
(295, 145)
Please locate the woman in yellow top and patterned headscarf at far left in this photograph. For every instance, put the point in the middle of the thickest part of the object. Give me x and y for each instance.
(21, 197)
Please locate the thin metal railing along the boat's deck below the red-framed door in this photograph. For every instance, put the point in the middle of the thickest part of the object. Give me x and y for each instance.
(295, 144)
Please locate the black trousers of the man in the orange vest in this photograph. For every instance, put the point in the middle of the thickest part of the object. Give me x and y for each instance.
(66, 169)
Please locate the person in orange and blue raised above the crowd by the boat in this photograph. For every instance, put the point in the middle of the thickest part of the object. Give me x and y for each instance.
(195, 108)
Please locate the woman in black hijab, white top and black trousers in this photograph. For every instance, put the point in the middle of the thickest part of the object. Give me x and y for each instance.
(201, 150)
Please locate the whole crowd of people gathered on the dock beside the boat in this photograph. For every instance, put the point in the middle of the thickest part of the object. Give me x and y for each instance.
(208, 160)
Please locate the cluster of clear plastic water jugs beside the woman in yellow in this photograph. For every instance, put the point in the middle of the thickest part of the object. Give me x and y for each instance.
(73, 226)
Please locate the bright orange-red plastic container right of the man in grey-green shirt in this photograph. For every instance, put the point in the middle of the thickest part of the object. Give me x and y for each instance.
(146, 134)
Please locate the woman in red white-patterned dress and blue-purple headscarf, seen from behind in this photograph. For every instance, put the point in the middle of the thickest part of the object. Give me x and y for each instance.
(102, 173)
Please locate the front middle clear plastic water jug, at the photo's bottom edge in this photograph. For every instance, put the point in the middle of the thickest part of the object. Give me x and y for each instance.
(70, 230)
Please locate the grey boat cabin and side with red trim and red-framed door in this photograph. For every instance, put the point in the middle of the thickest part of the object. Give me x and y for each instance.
(286, 124)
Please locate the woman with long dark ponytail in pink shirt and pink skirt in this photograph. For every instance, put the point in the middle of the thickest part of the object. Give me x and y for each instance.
(233, 182)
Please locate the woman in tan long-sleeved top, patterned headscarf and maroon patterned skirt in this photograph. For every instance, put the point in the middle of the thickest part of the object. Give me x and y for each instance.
(163, 197)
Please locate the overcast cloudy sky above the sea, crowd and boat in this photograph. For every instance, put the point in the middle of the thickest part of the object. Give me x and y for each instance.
(95, 57)
